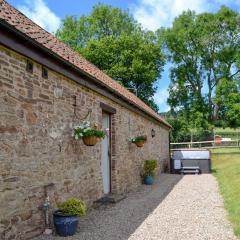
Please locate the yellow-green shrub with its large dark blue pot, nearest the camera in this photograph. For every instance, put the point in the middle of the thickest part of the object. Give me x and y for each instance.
(67, 216)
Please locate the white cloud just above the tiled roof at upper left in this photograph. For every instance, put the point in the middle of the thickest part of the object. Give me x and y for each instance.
(38, 11)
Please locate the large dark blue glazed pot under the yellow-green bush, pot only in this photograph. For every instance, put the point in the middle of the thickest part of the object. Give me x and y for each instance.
(65, 225)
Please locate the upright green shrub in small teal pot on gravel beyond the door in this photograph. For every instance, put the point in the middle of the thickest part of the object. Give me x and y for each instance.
(149, 169)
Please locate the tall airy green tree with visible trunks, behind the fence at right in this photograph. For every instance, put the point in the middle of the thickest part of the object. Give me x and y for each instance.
(203, 49)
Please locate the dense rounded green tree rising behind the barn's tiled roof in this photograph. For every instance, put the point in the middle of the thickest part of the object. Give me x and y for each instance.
(112, 40)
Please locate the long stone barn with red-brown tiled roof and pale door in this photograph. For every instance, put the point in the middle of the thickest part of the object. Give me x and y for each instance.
(45, 89)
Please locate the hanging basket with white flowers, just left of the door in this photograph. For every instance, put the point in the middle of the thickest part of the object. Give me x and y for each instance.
(89, 135)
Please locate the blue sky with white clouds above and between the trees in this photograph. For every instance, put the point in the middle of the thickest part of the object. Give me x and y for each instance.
(152, 14)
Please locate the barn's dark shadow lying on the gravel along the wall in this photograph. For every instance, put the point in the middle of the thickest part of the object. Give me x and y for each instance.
(120, 220)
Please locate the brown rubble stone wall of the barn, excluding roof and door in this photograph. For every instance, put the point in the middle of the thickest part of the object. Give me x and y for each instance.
(38, 155)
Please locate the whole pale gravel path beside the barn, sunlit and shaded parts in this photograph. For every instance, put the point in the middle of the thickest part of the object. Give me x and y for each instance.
(174, 208)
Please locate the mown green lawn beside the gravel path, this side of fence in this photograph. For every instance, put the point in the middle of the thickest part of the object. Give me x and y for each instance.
(226, 168)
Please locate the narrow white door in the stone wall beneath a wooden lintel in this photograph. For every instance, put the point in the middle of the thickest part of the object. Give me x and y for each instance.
(105, 162)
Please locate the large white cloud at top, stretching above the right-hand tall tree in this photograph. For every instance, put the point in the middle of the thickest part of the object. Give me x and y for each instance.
(153, 14)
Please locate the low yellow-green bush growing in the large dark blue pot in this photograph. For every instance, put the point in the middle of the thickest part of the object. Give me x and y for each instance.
(73, 206)
